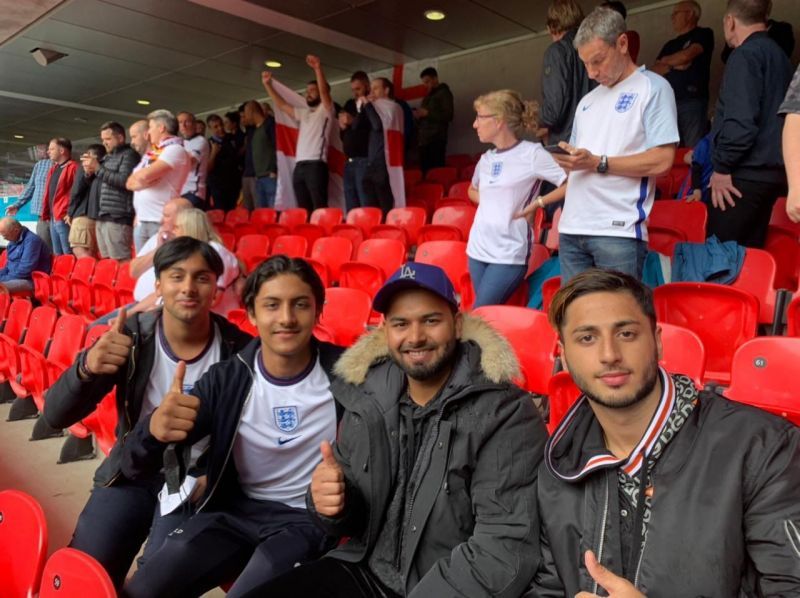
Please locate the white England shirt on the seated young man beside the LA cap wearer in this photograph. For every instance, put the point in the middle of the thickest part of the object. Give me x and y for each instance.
(282, 424)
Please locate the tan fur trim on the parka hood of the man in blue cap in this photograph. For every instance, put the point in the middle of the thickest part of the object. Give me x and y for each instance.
(498, 361)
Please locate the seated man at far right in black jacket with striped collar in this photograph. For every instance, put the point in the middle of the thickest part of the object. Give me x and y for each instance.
(650, 487)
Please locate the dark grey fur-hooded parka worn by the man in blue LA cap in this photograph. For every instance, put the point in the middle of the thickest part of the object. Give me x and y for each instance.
(472, 526)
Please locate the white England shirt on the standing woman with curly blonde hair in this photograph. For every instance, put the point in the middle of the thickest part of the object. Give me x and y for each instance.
(508, 180)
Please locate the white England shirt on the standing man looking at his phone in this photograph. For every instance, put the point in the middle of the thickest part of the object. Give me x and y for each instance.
(635, 115)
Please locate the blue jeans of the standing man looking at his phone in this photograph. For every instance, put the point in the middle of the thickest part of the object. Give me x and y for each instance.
(577, 253)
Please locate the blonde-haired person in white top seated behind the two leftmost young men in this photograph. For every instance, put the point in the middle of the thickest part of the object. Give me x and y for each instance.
(192, 222)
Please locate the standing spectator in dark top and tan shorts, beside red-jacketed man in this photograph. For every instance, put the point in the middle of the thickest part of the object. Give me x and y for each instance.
(84, 204)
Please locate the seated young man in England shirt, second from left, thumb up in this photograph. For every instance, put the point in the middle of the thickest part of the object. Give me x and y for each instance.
(267, 410)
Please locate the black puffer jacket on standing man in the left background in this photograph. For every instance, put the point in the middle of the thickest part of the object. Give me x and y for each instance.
(116, 202)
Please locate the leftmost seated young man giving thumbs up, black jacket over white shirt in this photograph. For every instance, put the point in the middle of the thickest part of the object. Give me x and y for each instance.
(137, 358)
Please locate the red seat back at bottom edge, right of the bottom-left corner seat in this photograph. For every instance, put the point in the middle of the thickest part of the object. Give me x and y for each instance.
(70, 573)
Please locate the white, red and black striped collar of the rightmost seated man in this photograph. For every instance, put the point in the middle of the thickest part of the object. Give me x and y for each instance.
(633, 463)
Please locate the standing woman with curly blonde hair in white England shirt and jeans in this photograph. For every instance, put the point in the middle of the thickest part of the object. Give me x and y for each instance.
(506, 183)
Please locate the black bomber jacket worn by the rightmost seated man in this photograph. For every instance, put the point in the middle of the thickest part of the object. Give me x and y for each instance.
(725, 508)
